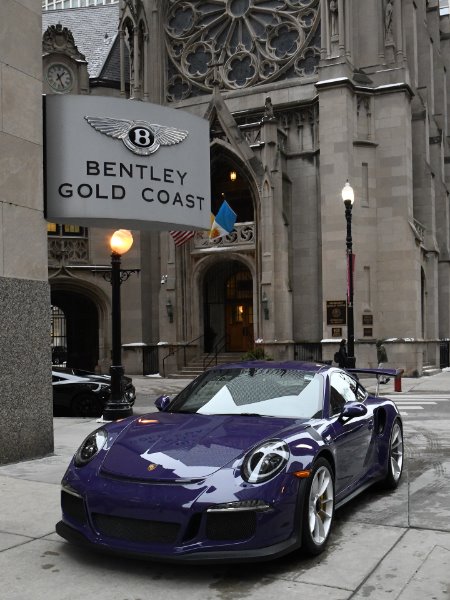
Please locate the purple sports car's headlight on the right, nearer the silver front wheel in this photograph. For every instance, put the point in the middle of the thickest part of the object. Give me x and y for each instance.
(265, 461)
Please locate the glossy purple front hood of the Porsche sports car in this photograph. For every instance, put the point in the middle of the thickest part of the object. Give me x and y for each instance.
(174, 447)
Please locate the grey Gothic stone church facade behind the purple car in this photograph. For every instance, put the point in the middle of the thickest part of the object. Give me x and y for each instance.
(300, 97)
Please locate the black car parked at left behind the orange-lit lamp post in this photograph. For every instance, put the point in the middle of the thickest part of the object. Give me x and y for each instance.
(84, 394)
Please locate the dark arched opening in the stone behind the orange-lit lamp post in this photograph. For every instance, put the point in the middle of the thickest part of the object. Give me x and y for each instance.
(82, 326)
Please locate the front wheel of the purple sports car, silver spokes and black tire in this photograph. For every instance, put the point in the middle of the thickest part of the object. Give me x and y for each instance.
(318, 508)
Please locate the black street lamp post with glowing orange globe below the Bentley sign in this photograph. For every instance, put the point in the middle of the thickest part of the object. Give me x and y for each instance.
(117, 406)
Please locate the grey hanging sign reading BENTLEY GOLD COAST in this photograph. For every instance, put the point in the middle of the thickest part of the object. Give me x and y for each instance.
(111, 162)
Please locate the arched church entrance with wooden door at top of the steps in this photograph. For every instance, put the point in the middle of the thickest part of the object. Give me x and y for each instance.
(228, 307)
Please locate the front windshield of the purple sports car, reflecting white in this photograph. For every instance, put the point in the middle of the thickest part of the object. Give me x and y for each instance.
(253, 391)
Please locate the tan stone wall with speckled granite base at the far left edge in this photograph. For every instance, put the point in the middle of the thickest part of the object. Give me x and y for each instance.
(26, 426)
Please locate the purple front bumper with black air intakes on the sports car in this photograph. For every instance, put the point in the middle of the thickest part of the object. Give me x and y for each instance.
(181, 523)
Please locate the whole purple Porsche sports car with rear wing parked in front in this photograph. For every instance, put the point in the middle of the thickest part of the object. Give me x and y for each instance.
(249, 461)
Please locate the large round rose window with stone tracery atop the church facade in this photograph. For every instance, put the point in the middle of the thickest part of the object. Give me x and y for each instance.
(239, 43)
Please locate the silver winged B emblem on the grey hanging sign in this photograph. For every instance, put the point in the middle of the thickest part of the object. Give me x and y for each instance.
(140, 137)
